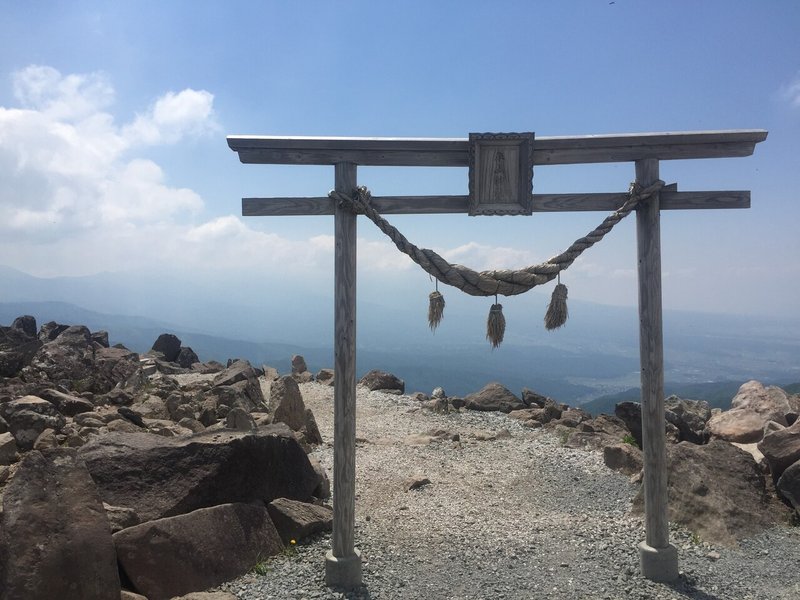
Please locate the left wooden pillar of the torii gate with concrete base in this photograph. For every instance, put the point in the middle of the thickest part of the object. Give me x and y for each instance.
(343, 561)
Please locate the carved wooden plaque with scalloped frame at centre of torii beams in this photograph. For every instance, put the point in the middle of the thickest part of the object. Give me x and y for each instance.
(500, 173)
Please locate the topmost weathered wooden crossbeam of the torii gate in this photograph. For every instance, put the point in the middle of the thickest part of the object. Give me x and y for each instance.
(455, 152)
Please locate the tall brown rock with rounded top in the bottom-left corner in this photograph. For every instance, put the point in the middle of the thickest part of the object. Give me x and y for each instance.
(63, 548)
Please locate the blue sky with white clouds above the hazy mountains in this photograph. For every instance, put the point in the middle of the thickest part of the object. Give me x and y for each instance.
(113, 117)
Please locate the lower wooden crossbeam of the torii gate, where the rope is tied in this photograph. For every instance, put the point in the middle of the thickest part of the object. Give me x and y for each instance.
(398, 205)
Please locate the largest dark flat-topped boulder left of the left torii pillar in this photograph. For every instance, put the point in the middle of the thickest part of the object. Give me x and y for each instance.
(161, 477)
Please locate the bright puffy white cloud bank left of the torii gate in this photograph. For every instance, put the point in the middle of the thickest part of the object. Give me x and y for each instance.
(66, 165)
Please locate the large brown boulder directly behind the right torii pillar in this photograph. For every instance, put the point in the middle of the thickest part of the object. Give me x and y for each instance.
(717, 491)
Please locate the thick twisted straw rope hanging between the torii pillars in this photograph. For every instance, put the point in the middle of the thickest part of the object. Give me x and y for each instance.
(490, 283)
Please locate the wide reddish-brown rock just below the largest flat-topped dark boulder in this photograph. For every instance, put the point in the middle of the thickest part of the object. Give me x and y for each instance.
(196, 551)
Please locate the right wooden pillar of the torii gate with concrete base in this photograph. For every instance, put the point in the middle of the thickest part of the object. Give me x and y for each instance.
(658, 558)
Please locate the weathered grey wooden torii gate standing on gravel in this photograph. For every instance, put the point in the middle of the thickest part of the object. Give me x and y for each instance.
(658, 558)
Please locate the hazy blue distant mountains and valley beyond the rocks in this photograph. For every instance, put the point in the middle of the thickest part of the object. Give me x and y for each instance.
(594, 355)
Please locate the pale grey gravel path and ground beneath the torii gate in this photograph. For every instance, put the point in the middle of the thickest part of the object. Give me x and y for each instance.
(514, 517)
